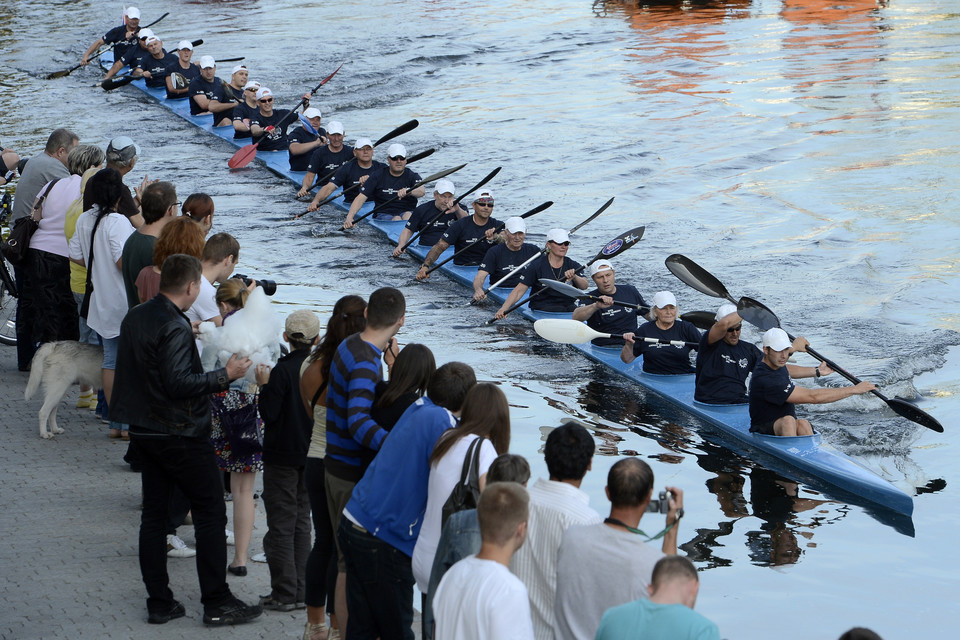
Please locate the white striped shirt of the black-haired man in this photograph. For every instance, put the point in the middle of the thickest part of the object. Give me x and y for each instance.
(554, 506)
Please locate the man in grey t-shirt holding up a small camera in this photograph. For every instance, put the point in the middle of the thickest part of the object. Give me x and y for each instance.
(604, 565)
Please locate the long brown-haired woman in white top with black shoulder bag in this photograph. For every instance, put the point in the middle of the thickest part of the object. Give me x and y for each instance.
(486, 416)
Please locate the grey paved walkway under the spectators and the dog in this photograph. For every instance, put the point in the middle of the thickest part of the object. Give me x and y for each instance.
(68, 536)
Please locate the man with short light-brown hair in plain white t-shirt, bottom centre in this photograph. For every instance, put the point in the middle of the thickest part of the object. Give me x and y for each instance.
(478, 597)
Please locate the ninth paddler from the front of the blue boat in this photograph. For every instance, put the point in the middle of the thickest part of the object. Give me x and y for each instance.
(396, 182)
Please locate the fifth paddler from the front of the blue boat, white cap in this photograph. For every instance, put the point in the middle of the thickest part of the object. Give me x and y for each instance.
(553, 265)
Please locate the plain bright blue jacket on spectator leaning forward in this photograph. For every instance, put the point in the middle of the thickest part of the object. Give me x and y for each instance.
(391, 498)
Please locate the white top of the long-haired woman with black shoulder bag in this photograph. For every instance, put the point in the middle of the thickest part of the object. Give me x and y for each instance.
(444, 476)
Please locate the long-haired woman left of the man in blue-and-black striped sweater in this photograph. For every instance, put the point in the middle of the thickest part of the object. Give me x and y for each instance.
(346, 319)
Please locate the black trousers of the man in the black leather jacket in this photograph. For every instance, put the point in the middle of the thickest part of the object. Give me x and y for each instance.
(191, 465)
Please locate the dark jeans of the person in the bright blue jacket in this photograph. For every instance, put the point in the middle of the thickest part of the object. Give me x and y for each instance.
(379, 586)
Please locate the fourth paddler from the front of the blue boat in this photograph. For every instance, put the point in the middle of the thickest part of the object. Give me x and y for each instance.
(603, 315)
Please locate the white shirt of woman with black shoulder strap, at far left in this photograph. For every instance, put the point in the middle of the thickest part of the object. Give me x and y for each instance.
(108, 303)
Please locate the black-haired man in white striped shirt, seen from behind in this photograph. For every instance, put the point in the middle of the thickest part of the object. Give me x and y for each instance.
(555, 505)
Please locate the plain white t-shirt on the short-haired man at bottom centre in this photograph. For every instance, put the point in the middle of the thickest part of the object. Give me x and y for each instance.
(481, 600)
